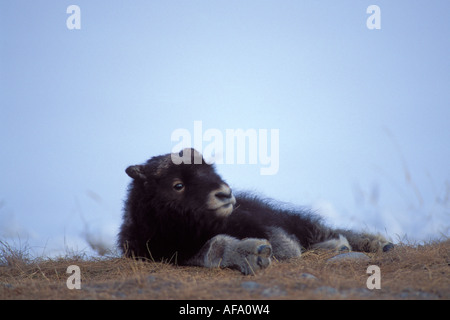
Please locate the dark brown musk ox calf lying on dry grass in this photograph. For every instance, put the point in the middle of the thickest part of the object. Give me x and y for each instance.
(187, 214)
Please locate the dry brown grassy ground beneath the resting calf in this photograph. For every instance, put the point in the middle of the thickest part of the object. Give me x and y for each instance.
(407, 272)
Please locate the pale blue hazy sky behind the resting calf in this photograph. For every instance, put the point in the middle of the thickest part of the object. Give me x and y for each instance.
(355, 107)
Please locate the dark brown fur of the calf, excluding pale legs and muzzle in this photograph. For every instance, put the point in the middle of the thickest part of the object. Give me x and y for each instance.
(161, 222)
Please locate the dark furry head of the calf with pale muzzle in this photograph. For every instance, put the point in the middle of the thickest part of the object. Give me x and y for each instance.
(183, 181)
